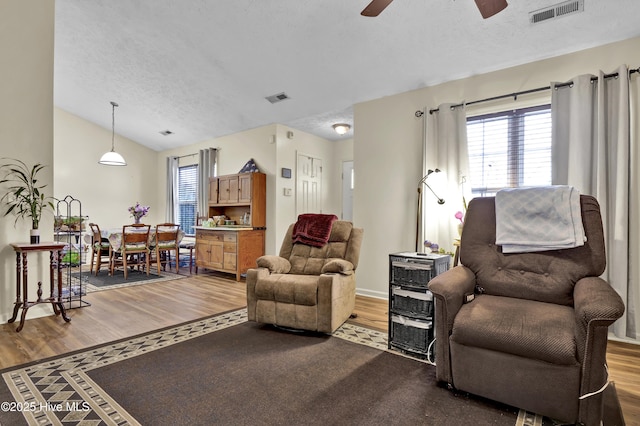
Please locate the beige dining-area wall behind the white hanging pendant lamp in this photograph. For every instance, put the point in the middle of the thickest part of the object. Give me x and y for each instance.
(105, 192)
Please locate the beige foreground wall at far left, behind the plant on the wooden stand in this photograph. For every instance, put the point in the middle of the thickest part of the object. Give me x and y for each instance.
(26, 127)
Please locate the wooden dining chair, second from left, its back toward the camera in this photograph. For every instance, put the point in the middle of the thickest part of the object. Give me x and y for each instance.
(134, 249)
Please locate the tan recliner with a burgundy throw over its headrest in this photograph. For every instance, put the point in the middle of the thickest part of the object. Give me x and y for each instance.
(307, 288)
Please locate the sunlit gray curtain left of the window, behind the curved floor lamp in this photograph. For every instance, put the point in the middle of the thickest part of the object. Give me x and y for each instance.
(445, 148)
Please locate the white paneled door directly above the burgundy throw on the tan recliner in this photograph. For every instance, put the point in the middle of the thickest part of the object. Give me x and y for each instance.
(308, 185)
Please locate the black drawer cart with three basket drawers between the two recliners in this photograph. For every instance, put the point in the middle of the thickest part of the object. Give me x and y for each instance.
(411, 303)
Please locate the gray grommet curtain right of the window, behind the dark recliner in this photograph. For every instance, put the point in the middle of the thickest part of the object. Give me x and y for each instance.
(592, 151)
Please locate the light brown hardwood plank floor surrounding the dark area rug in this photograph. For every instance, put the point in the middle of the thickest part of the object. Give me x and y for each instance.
(122, 313)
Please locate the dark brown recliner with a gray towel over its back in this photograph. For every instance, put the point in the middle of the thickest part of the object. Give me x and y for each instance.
(535, 336)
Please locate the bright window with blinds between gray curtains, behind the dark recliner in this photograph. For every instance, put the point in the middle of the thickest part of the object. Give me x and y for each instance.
(509, 149)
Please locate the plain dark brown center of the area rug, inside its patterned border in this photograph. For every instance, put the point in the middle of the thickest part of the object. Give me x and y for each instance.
(254, 374)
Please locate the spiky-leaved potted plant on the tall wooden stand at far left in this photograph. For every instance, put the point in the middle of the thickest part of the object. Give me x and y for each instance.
(25, 195)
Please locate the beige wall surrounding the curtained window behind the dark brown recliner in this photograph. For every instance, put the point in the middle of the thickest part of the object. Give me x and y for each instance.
(388, 146)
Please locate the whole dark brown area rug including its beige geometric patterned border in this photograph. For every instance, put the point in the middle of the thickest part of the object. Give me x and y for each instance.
(224, 370)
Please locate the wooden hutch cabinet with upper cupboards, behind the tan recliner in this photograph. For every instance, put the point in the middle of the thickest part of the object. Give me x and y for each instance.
(234, 248)
